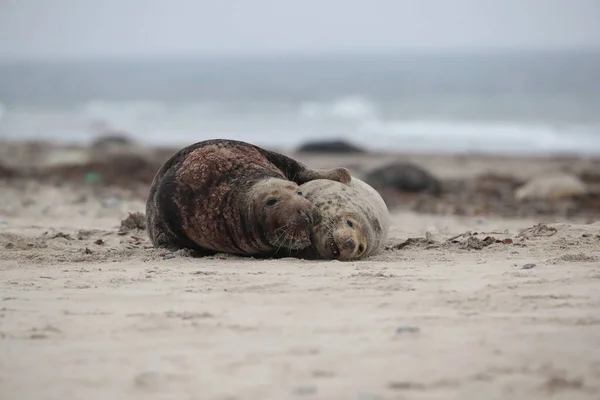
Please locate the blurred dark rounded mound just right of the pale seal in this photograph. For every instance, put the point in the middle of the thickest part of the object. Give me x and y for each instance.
(404, 177)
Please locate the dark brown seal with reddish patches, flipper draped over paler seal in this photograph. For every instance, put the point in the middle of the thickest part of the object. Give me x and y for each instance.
(228, 196)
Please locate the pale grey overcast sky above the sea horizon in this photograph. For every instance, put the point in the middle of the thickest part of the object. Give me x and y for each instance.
(153, 27)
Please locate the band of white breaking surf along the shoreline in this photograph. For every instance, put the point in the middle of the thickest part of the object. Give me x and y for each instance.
(354, 118)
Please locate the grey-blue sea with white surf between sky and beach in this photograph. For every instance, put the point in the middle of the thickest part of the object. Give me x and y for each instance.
(500, 103)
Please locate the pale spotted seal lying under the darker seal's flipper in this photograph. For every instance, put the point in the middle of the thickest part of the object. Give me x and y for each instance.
(351, 221)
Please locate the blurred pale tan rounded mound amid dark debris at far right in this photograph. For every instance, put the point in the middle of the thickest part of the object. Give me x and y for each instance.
(552, 187)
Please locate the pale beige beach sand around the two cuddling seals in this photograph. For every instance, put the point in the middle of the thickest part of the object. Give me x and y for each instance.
(88, 311)
